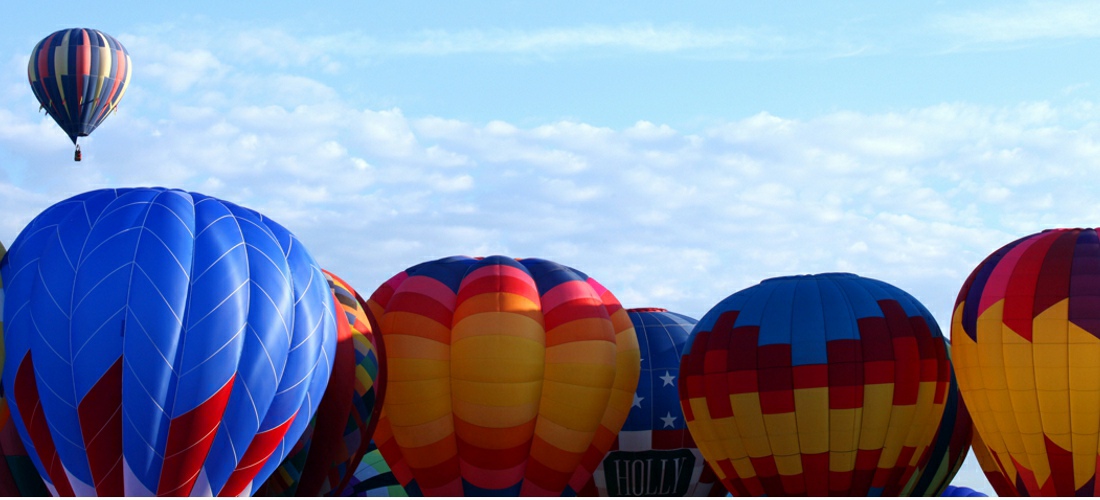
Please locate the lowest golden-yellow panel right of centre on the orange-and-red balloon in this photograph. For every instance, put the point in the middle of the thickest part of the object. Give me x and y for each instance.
(575, 407)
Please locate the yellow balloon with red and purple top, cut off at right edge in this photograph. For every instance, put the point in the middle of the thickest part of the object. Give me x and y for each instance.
(1025, 335)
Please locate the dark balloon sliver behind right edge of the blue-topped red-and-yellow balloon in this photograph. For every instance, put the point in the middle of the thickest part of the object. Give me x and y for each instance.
(950, 449)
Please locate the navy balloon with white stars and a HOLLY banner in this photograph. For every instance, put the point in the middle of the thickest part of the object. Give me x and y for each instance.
(655, 454)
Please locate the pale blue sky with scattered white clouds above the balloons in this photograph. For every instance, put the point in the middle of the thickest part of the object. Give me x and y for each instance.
(678, 152)
